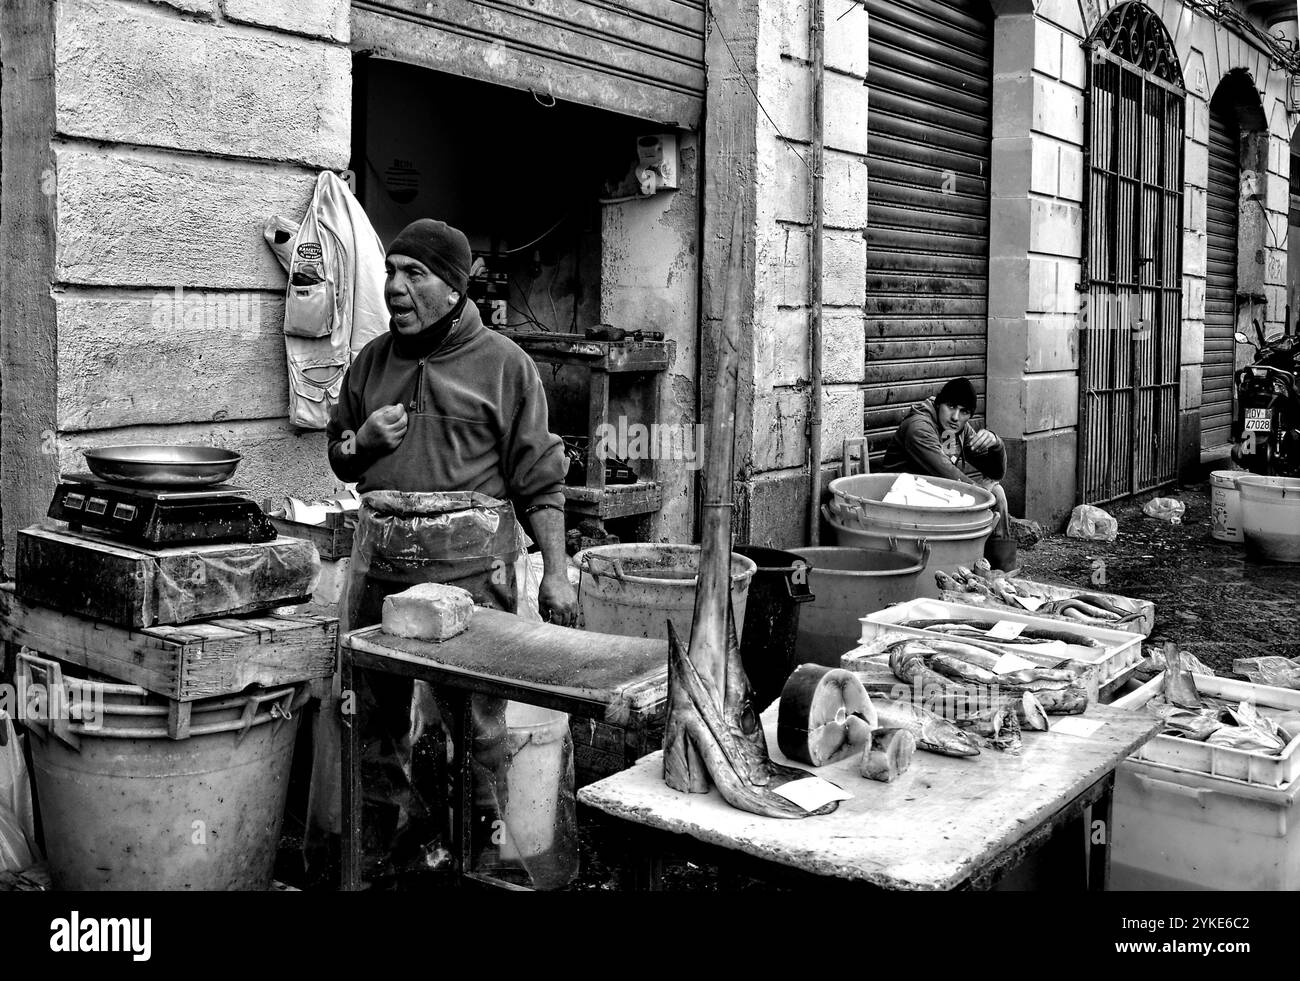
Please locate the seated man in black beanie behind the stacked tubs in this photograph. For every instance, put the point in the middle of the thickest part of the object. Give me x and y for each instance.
(937, 439)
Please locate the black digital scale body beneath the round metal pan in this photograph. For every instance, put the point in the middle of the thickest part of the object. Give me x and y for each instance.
(159, 518)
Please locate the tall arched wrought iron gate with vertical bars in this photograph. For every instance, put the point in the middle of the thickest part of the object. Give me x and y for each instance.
(1130, 327)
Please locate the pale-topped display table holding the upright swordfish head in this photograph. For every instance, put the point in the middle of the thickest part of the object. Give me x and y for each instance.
(946, 824)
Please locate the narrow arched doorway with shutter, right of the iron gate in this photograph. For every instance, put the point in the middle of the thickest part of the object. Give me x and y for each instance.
(1238, 136)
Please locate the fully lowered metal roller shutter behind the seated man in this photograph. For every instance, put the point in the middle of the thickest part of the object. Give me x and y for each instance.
(929, 136)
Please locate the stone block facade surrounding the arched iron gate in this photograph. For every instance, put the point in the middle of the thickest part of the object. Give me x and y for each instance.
(1037, 225)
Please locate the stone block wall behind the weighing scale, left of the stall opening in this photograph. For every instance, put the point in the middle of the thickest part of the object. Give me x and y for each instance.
(171, 132)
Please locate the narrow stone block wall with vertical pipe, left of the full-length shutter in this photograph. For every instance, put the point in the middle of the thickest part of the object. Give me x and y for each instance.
(773, 422)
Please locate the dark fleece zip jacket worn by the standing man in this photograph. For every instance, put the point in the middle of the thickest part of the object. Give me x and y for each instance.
(476, 420)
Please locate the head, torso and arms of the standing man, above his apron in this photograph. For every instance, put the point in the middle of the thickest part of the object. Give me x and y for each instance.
(444, 405)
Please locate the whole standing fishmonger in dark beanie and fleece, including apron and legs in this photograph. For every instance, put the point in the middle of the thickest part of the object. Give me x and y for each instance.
(441, 405)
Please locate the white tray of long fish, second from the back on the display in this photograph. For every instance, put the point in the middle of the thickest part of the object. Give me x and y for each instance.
(1119, 649)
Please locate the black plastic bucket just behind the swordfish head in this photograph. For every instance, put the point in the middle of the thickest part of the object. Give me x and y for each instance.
(778, 591)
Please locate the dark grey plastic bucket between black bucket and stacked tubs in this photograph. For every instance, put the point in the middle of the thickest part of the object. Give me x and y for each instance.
(848, 585)
